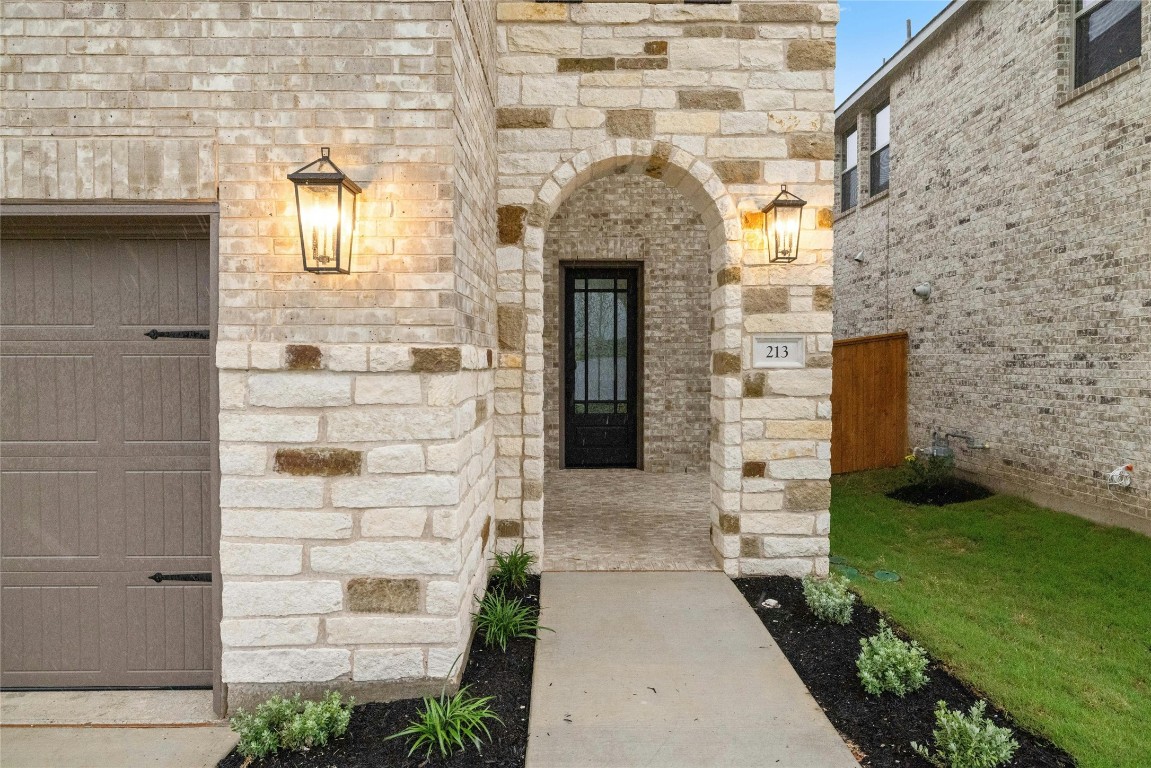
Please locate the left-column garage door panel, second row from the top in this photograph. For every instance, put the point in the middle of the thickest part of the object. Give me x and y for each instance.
(48, 398)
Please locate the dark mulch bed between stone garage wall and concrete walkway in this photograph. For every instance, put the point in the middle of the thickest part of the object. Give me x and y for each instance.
(491, 672)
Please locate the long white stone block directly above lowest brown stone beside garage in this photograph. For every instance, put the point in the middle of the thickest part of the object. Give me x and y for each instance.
(387, 559)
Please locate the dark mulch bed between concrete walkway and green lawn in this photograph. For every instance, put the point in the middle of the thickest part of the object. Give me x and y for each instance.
(881, 728)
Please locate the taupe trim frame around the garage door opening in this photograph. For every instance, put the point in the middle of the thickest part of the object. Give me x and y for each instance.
(109, 210)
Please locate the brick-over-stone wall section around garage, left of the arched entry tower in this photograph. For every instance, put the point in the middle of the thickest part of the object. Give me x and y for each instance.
(356, 438)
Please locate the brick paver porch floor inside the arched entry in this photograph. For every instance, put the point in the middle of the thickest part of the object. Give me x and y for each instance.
(627, 521)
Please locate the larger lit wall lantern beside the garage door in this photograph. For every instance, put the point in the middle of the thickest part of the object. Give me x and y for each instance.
(326, 210)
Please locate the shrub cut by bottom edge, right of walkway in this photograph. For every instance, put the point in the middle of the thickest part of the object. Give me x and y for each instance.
(970, 741)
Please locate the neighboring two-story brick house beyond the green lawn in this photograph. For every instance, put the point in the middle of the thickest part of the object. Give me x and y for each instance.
(1013, 149)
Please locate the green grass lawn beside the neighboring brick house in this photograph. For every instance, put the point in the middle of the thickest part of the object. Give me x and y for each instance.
(1048, 614)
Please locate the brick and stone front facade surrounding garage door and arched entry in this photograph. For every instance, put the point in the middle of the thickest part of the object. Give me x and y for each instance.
(380, 431)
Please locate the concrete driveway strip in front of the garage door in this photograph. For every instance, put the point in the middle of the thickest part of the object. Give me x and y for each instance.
(111, 729)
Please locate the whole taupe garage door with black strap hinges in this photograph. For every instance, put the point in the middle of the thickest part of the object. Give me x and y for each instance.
(105, 474)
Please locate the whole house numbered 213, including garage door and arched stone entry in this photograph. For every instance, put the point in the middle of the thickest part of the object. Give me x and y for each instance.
(364, 442)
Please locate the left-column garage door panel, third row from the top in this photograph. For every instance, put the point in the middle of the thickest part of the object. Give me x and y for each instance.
(50, 514)
